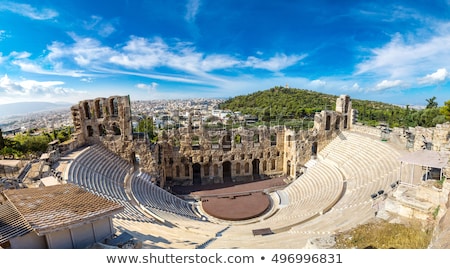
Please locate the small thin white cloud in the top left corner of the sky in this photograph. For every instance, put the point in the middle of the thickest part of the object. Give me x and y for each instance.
(29, 11)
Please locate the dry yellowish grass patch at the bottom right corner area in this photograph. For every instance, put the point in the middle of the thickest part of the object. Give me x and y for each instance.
(384, 235)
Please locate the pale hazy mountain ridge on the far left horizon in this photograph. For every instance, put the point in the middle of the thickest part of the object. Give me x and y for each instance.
(23, 108)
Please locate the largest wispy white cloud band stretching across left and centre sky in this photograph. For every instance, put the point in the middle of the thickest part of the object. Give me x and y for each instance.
(88, 57)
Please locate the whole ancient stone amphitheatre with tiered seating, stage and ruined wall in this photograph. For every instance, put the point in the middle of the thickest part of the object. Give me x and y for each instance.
(330, 178)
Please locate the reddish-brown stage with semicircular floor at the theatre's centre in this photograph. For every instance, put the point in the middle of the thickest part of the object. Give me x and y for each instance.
(235, 201)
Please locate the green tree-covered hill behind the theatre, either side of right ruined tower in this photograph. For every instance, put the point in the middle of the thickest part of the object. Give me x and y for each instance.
(290, 106)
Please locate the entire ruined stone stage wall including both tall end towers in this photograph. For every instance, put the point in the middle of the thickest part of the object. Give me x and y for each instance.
(200, 156)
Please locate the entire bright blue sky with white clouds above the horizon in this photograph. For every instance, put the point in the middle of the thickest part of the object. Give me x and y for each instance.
(65, 51)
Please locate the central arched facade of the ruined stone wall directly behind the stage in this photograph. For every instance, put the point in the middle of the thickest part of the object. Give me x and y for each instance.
(204, 156)
